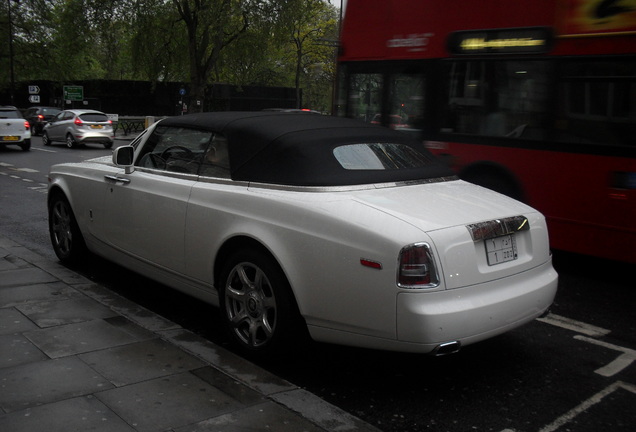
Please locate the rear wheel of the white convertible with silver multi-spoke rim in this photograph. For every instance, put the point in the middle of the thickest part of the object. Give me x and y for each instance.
(258, 309)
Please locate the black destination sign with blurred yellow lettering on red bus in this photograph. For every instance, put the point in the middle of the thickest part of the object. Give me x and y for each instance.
(530, 40)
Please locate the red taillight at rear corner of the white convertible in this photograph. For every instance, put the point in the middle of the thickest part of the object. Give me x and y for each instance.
(416, 267)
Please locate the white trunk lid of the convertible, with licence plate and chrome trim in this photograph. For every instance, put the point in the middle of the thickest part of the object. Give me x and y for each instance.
(478, 235)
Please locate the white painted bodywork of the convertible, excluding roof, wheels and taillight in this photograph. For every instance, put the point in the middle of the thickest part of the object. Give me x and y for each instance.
(318, 236)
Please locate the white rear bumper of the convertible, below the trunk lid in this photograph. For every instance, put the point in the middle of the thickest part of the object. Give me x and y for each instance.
(476, 312)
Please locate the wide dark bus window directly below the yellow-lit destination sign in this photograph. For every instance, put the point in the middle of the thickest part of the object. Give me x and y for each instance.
(497, 98)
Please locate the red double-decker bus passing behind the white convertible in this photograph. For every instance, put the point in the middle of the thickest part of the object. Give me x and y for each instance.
(532, 98)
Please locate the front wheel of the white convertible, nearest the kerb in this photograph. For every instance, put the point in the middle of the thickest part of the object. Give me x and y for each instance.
(66, 237)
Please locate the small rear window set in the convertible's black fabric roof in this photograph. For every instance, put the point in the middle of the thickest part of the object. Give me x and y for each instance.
(380, 156)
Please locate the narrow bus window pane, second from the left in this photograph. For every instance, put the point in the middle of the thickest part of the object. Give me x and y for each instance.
(406, 102)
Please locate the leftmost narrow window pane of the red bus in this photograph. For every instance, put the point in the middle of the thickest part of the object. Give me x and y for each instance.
(365, 97)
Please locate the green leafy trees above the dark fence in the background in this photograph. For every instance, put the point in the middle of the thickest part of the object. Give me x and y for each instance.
(199, 42)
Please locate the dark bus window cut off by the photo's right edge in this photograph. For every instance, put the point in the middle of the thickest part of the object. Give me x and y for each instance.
(597, 102)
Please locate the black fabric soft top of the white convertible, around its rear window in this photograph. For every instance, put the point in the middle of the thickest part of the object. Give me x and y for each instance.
(297, 148)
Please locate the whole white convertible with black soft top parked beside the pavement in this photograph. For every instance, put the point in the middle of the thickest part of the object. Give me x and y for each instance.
(292, 222)
